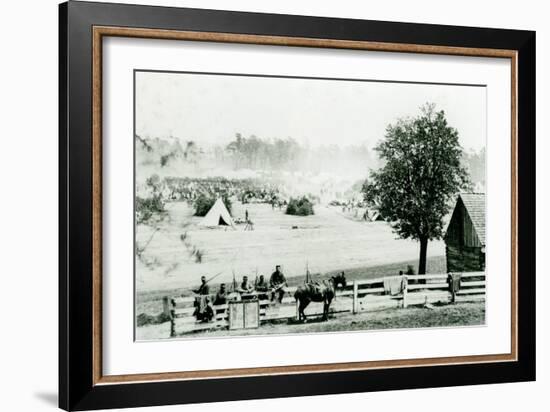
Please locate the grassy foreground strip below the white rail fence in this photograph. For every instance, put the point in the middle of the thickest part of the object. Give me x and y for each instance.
(452, 315)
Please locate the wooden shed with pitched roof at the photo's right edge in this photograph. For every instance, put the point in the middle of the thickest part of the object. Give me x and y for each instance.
(465, 237)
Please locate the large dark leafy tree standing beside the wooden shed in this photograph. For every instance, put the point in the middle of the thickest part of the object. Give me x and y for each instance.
(421, 174)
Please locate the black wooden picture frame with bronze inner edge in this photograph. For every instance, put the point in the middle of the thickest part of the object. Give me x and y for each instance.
(82, 27)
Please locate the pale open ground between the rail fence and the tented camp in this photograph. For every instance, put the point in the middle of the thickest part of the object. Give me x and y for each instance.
(326, 241)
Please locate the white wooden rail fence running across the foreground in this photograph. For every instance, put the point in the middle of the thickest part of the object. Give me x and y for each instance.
(357, 296)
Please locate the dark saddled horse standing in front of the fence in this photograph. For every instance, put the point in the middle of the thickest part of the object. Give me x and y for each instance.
(318, 292)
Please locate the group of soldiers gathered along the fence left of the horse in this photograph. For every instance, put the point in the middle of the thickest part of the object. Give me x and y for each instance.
(275, 288)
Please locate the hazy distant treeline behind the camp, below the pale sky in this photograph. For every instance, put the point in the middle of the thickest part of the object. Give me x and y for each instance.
(275, 154)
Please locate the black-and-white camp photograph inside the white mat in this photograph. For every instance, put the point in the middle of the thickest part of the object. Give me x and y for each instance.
(290, 205)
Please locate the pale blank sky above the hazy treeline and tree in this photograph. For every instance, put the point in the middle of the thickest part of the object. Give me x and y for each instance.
(212, 108)
